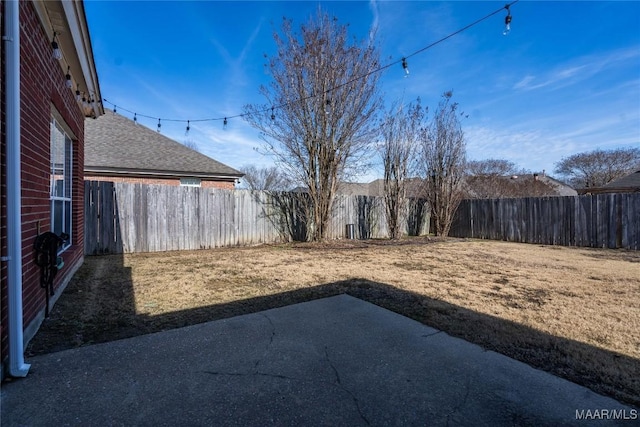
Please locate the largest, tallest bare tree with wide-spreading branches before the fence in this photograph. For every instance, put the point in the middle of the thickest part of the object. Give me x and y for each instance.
(317, 122)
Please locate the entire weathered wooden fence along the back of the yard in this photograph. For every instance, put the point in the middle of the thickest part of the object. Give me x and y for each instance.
(124, 217)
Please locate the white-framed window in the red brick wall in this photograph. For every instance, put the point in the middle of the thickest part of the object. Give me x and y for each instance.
(61, 178)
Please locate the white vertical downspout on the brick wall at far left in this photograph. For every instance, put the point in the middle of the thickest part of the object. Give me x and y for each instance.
(17, 367)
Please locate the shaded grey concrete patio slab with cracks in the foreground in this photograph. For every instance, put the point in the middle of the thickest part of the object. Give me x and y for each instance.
(333, 361)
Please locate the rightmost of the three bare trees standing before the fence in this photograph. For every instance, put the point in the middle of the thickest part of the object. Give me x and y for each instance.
(443, 163)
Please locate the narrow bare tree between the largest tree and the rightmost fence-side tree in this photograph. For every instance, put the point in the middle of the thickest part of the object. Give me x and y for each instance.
(399, 131)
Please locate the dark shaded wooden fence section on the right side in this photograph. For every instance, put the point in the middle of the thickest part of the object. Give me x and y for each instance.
(599, 221)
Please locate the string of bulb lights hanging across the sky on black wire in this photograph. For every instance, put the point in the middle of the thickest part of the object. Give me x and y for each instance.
(402, 61)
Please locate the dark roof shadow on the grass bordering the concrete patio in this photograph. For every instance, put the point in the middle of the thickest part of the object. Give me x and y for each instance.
(79, 319)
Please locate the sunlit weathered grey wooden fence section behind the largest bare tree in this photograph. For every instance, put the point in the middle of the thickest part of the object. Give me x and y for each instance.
(123, 217)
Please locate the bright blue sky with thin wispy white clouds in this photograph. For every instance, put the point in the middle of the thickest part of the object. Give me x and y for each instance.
(565, 80)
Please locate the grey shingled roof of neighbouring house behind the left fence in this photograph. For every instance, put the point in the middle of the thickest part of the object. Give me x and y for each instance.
(117, 146)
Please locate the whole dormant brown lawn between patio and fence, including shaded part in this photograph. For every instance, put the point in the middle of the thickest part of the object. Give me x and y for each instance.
(571, 311)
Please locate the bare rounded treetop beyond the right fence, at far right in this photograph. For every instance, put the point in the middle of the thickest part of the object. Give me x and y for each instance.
(598, 167)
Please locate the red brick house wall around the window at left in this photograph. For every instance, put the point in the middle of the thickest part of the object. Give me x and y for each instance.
(42, 85)
